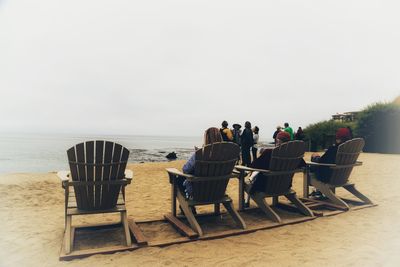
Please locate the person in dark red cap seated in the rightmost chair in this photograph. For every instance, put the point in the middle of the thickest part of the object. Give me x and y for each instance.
(321, 172)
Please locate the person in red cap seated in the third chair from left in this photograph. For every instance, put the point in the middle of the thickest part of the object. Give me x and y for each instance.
(257, 179)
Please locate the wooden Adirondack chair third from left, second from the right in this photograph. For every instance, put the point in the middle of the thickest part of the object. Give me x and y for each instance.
(284, 164)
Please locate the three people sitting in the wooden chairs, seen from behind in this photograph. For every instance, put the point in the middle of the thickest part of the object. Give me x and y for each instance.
(213, 135)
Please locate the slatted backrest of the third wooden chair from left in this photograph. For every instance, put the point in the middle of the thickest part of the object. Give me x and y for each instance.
(285, 158)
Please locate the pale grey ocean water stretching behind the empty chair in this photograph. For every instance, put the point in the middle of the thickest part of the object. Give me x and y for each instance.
(22, 153)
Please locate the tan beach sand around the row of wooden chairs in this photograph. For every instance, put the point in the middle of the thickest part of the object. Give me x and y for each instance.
(32, 225)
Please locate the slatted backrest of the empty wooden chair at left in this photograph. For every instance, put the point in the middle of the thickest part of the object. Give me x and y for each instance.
(97, 161)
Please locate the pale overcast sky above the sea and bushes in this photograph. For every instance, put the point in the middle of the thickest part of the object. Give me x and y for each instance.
(160, 67)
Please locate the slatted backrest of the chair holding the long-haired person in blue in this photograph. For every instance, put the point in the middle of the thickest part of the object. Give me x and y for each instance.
(213, 161)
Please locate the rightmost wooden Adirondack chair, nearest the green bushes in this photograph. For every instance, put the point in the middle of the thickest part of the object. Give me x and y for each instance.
(338, 176)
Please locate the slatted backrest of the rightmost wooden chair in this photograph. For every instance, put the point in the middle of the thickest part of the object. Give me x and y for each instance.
(347, 154)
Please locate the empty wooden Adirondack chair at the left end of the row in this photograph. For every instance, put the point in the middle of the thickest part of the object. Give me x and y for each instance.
(95, 184)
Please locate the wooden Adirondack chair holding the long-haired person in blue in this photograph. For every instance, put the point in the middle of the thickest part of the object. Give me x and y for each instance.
(213, 168)
